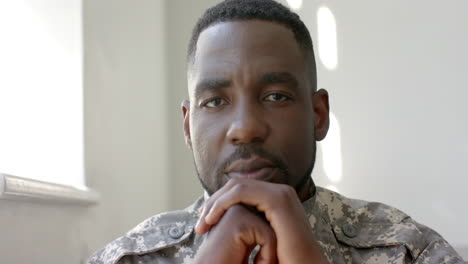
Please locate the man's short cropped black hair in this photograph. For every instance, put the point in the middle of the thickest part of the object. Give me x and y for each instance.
(267, 10)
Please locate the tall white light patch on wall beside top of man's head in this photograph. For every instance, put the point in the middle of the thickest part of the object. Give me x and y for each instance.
(327, 43)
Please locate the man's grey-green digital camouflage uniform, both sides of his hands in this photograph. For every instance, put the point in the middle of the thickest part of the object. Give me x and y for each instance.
(348, 231)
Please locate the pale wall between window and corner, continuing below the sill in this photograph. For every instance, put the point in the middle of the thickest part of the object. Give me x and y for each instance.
(125, 141)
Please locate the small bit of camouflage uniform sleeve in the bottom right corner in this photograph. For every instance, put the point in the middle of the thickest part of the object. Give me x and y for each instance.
(439, 252)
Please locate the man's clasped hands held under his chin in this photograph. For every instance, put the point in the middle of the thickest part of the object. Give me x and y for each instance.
(245, 213)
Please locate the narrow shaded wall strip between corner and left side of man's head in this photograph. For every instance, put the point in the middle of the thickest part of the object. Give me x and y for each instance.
(181, 17)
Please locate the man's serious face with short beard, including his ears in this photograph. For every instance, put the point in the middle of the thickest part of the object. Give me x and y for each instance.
(252, 111)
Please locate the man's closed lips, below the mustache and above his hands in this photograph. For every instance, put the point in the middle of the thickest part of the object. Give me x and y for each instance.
(252, 168)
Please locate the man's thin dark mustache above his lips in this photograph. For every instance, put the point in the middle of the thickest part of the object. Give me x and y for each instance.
(248, 151)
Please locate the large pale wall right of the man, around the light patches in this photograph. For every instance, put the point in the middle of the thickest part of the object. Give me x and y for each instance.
(399, 95)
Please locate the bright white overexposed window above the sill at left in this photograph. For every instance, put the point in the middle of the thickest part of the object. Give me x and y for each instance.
(41, 95)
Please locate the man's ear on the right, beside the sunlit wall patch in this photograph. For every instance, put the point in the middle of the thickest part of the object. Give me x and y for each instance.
(321, 109)
